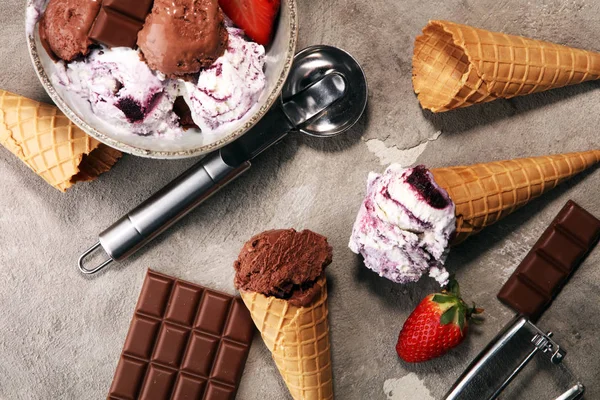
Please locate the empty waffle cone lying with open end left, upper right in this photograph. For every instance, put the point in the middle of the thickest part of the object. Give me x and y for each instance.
(457, 66)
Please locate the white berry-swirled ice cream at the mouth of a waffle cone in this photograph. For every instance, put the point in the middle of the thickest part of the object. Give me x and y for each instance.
(404, 225)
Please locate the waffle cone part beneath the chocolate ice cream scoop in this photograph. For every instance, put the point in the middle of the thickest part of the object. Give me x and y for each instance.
(298, 338)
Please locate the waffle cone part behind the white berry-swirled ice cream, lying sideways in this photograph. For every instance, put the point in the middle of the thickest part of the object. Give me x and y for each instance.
(485, 193)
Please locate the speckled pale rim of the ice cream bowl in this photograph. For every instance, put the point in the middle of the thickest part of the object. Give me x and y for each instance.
(163, 154)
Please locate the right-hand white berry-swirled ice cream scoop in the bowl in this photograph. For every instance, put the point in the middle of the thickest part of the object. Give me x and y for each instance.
(228, 89)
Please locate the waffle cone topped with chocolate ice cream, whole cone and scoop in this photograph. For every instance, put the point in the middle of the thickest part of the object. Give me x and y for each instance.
(281, 280)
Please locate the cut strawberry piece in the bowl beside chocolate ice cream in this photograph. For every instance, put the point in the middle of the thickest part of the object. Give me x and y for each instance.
(255, 17)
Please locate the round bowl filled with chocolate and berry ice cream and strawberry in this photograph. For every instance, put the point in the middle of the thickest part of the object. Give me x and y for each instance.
(163, 78)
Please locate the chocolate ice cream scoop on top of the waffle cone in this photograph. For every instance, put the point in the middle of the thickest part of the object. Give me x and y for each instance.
(284, 264)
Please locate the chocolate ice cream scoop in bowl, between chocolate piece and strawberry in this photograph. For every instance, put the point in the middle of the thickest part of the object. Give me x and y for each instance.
(180, 37)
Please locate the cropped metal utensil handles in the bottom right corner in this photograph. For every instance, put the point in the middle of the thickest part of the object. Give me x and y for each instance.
(500, 362)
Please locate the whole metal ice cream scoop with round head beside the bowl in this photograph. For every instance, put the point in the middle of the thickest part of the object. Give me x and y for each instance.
(325, 95)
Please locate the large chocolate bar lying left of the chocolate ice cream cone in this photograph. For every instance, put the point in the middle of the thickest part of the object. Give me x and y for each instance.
(184, 342)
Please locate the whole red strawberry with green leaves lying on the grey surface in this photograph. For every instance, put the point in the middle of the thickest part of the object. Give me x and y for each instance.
(439, 323)
